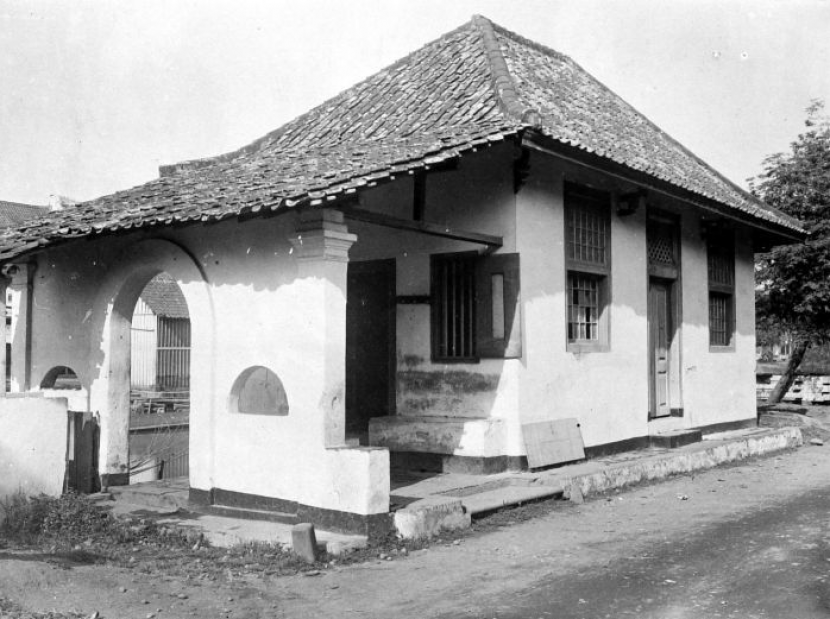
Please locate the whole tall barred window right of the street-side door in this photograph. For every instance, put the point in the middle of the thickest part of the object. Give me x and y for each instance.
(720, 254)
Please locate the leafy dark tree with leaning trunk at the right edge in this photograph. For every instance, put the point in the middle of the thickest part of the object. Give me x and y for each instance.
(793, 291)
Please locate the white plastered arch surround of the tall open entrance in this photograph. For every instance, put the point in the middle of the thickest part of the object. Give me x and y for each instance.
(112, 393)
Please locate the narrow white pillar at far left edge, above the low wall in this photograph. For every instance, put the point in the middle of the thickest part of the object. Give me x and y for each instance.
(22, 283)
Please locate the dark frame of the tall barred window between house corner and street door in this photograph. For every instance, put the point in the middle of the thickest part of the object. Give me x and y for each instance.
(581, 198)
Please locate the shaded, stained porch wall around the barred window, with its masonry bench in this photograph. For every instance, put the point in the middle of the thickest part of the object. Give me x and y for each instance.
(477, 197)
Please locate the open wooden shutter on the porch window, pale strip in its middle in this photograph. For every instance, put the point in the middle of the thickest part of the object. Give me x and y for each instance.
(498, 307)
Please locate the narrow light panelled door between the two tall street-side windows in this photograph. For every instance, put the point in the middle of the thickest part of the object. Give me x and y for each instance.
(659, 330)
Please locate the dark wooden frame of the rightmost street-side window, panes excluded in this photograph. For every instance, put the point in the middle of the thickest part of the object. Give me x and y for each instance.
(720, 243)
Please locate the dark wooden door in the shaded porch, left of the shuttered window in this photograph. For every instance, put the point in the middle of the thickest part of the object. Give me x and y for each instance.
(370, 343)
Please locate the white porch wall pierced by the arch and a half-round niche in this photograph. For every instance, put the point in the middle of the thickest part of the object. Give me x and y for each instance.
(248, 307)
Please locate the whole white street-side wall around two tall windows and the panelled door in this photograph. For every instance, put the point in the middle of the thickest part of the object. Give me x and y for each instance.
(607, 391)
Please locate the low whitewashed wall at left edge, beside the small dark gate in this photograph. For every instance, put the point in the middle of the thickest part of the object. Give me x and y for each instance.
(33, 445)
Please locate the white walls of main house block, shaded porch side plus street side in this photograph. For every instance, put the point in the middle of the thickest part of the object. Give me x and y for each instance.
(608, 391)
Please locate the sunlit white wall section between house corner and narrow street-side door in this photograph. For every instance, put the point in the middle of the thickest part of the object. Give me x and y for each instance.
(606, 391)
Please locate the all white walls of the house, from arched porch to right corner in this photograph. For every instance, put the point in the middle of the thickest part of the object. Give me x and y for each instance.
(253, 303)
